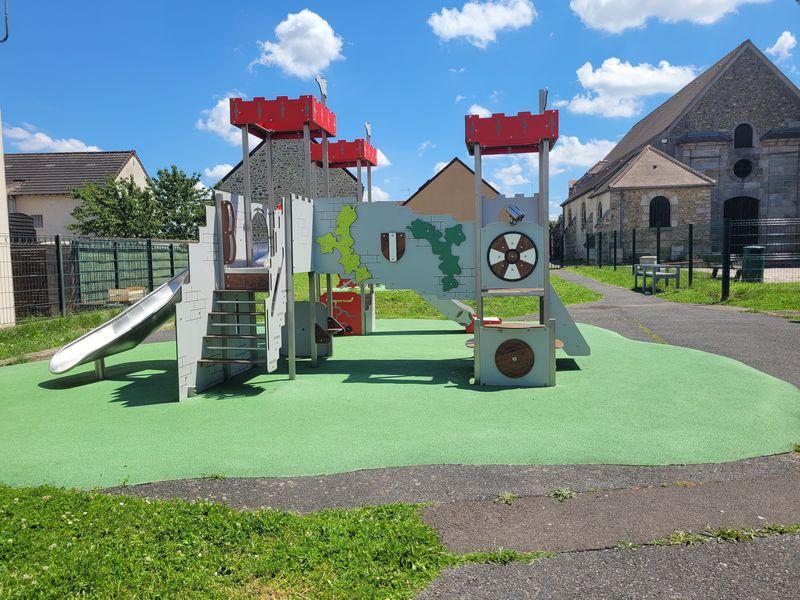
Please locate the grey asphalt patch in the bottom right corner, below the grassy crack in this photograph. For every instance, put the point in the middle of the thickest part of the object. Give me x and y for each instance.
(767, 568)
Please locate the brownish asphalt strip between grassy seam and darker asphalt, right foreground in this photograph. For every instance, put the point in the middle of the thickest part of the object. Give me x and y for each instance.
(604, 518)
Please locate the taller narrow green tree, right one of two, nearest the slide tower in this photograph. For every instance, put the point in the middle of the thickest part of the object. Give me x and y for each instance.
(182, 201)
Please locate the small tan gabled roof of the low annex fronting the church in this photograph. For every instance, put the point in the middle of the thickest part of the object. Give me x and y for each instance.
(653, 168)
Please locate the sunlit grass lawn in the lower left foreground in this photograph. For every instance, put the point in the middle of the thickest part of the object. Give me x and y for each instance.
(56, 543)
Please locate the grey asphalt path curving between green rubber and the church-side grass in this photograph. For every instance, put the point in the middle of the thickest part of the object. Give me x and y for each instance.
(768, 343)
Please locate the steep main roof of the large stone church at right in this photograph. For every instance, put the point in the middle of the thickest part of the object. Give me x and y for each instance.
(661, 119)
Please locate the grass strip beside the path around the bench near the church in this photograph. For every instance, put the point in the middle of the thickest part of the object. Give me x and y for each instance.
(705, 290)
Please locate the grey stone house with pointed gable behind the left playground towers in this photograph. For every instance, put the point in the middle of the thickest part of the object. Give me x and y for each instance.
(287, 173)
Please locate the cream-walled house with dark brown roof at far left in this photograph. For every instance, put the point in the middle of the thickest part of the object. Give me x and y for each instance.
(40, 184)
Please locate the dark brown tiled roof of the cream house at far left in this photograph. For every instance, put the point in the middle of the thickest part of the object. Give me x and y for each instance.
(61, 172)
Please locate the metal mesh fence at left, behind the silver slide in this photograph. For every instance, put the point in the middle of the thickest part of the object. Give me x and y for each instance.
(57, 275)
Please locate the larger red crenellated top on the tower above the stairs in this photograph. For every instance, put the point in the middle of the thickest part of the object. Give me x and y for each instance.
(284, 116)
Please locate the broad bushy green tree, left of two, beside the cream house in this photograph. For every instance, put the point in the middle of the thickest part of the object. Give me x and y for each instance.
(116, 209)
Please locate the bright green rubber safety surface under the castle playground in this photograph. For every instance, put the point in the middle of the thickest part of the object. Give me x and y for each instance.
(399, 397)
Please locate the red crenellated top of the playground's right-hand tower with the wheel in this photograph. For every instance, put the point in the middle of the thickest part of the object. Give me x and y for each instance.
(501, 134)
